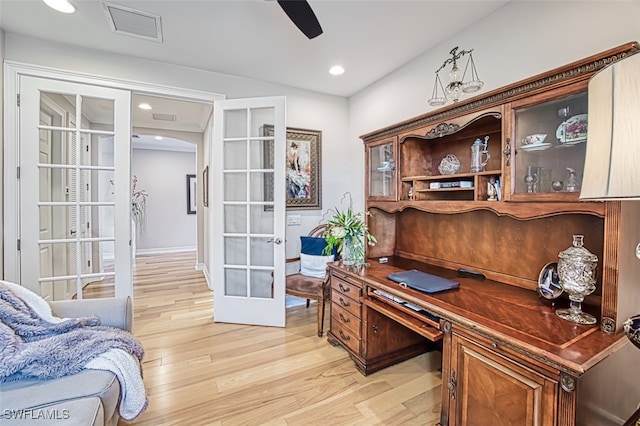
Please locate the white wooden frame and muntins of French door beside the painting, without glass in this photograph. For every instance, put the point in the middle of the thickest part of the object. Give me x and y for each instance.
(231, 305)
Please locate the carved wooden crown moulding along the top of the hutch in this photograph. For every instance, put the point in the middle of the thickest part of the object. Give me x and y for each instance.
(497, 97)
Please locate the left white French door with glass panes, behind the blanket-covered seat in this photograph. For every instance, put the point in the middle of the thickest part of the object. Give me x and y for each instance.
(92, 112)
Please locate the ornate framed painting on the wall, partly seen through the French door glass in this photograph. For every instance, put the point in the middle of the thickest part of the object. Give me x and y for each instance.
(303, 168)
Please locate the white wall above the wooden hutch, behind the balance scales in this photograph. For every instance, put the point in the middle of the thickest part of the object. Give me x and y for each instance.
(522, 39)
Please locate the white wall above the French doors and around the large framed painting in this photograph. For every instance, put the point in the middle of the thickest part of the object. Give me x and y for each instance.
(305, 109)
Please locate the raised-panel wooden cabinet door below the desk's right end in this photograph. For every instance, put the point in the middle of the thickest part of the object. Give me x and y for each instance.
(487, 389)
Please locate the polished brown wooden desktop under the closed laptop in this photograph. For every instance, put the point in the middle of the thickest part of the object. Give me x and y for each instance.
(515, 317)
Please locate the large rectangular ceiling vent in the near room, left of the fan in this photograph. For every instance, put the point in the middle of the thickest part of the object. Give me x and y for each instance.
(131, 22)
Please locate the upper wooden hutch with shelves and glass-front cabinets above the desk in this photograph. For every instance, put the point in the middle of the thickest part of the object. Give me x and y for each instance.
(449, 220)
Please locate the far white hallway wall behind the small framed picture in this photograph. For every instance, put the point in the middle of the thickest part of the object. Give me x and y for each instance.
(163, 175)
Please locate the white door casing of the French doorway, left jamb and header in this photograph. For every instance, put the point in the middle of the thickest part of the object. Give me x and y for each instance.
(13, 71)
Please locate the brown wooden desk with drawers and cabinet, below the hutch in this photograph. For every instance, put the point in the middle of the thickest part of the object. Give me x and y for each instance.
(506, 355)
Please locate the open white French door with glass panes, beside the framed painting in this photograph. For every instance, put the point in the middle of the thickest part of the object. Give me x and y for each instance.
(248, 211)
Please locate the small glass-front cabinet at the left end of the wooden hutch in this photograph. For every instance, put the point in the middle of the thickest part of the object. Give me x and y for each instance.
(382, 183)
